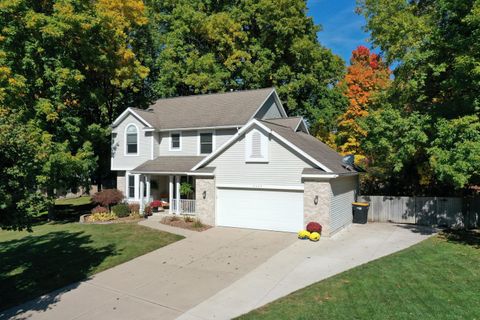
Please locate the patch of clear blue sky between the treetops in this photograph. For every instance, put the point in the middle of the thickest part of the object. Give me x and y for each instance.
(342, 27)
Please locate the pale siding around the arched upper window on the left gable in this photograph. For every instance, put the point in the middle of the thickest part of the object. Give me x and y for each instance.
(120, 159)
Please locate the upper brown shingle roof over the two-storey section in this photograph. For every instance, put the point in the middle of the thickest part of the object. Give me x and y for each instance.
(208, 110)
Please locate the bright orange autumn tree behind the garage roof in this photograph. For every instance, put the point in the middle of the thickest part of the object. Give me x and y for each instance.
(366, 77)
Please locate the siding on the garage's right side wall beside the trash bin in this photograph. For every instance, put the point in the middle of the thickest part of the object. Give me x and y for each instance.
(343, 194)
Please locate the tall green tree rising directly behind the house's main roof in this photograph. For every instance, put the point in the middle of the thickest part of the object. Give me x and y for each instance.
(211, 46)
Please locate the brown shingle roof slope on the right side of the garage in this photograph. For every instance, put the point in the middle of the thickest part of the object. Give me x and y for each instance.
(313, 147)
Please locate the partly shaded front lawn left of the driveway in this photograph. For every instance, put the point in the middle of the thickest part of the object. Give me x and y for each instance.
(59, 253)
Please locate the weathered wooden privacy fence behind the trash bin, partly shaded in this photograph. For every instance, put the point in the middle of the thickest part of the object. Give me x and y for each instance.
(427, 211)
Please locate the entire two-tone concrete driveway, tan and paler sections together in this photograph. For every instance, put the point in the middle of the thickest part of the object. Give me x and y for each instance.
(217, 274)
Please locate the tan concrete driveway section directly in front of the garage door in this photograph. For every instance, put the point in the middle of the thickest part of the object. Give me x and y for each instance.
(162, 284)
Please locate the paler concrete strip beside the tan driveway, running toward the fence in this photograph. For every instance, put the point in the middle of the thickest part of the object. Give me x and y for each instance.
(304, 263)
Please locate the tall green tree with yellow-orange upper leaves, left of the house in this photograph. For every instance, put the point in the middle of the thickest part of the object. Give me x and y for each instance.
(69, 68)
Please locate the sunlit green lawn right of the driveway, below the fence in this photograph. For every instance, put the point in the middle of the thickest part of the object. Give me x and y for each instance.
(436, 279)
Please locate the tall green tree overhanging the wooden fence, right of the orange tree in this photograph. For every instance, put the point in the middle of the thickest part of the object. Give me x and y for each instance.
(436, 46)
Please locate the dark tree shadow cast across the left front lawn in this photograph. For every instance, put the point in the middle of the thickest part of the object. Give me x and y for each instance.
(36, 265)
